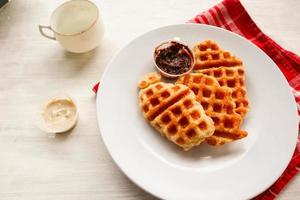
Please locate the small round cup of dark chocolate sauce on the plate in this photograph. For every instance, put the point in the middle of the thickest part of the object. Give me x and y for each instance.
(173, 58)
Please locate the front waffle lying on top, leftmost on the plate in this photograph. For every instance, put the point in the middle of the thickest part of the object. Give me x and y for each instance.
(175, 113)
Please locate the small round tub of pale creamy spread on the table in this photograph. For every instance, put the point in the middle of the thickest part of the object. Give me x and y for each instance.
(59, 114)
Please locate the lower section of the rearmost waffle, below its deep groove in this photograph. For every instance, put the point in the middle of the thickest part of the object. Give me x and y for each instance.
(234, 78)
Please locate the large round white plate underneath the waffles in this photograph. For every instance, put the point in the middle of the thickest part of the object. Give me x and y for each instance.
(239, 170)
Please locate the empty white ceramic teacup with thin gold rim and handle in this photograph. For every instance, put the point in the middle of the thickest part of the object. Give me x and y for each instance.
(76, 25)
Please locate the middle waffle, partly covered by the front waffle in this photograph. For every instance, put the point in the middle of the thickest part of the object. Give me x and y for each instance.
(218, 104)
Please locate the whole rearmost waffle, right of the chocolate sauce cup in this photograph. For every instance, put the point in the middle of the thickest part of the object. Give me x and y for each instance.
(226, 68)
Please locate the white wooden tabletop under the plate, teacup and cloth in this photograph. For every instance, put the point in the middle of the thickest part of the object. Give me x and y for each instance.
(77, 165)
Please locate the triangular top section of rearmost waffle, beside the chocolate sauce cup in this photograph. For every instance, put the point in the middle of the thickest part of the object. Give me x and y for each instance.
(208, 54)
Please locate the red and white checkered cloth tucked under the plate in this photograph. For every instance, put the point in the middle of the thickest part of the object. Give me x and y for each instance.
(231, 15)
